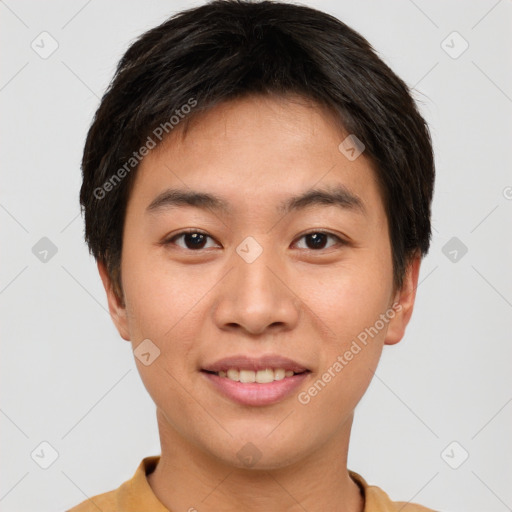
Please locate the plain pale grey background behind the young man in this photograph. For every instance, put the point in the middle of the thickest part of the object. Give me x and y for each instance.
(67, 378)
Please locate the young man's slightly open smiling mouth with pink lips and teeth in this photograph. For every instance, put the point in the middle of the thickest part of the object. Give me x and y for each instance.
(256, 381)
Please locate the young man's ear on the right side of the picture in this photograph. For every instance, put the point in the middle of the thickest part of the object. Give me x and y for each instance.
(404, 302)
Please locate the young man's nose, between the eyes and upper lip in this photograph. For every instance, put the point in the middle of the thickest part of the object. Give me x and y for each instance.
(255, 296)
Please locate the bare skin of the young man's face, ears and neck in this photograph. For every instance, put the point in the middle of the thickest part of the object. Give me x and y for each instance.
(294, 300)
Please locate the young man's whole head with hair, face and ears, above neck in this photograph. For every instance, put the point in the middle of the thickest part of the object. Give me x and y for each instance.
(303, 172)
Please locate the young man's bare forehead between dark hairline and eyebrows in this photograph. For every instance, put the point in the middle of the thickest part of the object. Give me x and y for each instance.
(256, 152)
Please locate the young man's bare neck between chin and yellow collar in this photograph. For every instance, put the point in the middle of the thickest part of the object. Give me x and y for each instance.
(188, 479)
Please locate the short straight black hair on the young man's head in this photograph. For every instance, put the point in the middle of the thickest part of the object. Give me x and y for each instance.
(227, 49)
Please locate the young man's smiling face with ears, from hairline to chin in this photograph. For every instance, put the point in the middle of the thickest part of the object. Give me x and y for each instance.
(260, 279)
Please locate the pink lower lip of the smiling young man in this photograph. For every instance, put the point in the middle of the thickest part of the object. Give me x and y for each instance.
(255, 394)
